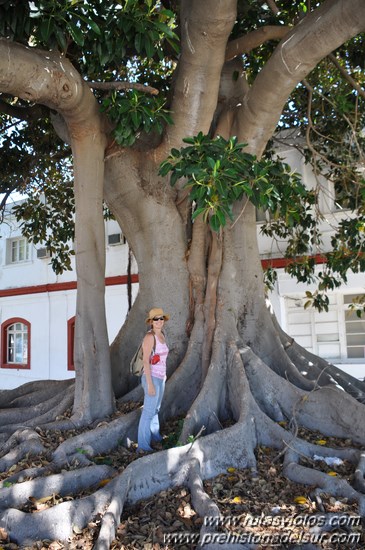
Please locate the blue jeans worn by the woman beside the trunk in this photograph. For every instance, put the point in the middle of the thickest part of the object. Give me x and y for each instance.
(149, 425)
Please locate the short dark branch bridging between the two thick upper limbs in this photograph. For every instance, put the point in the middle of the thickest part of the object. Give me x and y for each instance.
(252, 40)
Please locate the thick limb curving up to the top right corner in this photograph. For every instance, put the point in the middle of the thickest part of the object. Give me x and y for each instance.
(300, 51)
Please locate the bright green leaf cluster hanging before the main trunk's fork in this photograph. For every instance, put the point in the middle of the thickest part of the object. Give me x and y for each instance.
(219, 173)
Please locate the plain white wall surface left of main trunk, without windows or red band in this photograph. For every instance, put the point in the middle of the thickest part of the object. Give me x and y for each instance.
(48, 312)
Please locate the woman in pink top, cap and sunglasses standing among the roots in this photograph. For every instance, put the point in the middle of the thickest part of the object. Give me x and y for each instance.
(155, 353)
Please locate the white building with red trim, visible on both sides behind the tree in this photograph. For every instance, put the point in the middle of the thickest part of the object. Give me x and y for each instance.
(37, 307)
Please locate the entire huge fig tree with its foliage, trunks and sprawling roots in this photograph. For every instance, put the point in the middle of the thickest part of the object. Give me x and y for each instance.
(167, 109)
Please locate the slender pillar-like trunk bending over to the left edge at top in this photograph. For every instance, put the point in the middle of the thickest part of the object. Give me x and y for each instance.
(49, 79)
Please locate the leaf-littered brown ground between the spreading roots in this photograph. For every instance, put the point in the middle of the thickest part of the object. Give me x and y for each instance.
(168, 520)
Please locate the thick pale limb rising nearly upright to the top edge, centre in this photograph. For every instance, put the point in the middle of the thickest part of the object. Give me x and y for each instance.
(205, 29)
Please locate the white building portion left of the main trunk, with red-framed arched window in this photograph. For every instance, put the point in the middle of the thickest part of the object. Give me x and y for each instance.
(37, 307)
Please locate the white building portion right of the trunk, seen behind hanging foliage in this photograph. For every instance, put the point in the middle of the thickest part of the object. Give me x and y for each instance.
(337, 335)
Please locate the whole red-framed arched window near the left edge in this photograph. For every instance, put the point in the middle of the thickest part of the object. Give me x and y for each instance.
(15, 344)
